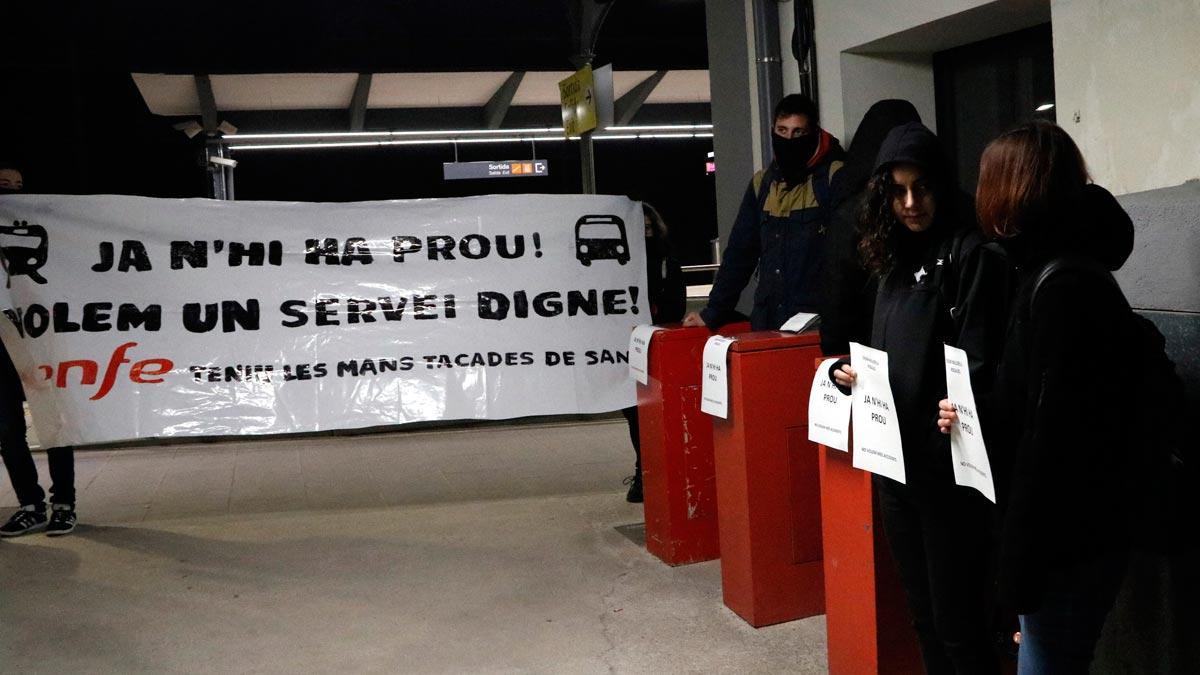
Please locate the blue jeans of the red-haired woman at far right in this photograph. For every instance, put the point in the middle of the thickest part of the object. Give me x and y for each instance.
(1060, 638)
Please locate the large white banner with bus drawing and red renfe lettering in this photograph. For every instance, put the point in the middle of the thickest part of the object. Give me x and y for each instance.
(134, 318)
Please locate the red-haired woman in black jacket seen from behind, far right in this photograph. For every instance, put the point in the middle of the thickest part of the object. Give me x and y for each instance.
(1058, 423)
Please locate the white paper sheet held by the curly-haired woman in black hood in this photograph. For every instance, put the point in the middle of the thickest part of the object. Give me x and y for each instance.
(878, 447)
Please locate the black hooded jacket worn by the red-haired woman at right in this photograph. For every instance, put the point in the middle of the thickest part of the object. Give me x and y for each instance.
(1057, 428)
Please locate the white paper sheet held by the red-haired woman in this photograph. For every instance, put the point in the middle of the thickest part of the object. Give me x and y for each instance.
(971, 465)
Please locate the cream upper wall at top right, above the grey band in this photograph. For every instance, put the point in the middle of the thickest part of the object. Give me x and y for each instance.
(1129, 70)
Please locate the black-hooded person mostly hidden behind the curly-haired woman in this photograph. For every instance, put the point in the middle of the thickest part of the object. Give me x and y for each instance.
(850, 288)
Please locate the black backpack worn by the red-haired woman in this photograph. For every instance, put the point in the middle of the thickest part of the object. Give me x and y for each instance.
(1166, 516)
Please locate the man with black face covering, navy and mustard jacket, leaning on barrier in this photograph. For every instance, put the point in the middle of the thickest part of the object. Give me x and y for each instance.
(781, 228)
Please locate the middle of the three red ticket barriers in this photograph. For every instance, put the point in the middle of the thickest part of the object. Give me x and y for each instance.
(769, 489)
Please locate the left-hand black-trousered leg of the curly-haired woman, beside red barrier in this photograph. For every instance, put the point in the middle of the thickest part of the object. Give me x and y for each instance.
(903, 528)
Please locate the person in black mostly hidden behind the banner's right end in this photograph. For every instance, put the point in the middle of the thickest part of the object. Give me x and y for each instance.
(668, 297)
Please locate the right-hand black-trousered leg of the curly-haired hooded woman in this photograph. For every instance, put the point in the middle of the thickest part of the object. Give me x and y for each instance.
(958, 541)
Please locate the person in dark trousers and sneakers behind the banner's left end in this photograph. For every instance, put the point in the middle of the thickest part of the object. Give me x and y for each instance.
(15, 449)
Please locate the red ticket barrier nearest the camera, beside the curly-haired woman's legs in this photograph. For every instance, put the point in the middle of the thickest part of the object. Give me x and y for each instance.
(867, 617)
